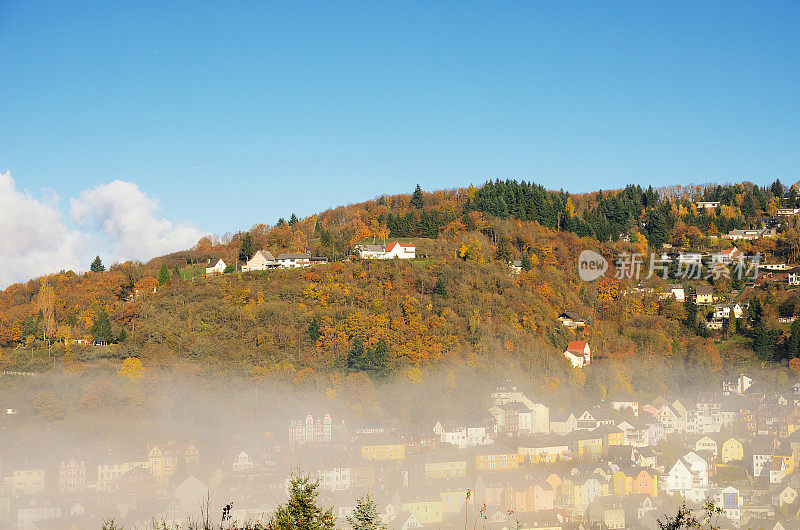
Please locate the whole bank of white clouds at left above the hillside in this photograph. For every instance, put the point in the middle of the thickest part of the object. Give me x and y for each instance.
(116, 220)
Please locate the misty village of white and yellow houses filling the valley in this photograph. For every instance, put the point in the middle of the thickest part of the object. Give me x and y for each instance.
(518, 463)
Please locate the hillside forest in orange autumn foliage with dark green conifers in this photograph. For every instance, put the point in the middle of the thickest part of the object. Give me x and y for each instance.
(457, 303)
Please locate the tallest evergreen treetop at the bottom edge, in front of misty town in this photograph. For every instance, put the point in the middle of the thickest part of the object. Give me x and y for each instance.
(301, 511)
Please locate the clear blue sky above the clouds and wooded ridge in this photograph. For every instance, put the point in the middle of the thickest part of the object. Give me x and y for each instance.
(233, 113)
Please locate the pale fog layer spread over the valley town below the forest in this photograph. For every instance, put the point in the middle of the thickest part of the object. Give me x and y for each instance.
(431, 453)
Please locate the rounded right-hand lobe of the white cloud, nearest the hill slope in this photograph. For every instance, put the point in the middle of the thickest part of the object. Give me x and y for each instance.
(126, 218)
